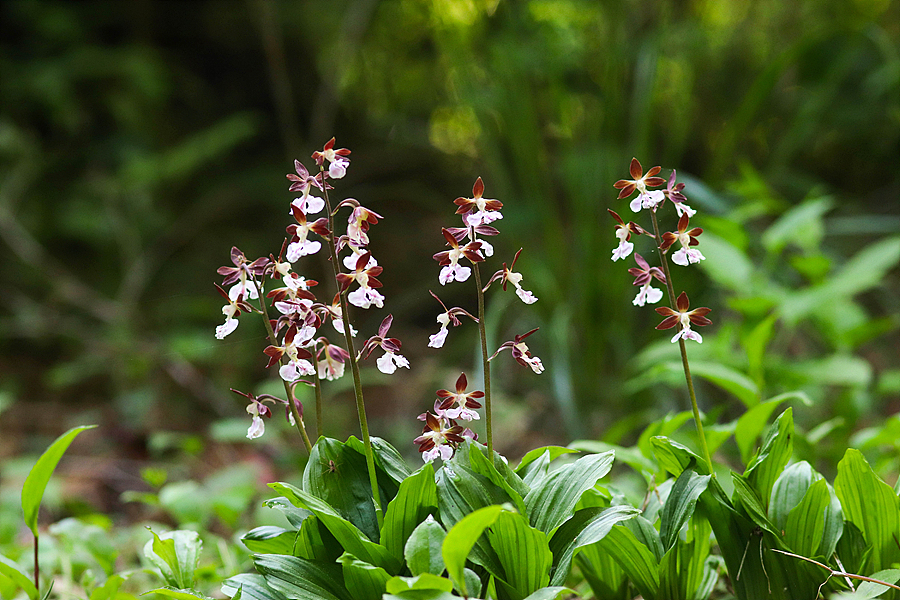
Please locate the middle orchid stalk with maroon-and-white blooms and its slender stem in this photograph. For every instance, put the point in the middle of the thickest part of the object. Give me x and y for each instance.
(441, 433)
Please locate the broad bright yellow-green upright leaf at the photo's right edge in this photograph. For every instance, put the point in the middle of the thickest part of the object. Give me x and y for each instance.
(871, 505)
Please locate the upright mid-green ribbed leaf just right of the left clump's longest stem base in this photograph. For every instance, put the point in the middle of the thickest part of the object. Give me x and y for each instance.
(415, 500)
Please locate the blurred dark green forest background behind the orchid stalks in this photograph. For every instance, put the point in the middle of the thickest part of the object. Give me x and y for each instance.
(140, 140)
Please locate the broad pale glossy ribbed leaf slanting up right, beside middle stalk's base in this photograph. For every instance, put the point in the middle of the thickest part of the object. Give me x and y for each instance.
(552, 500)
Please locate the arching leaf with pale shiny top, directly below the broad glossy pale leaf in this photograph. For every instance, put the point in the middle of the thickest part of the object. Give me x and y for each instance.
(586, 527)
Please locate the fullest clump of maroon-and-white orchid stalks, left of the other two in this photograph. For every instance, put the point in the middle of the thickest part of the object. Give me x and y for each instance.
(294, 336)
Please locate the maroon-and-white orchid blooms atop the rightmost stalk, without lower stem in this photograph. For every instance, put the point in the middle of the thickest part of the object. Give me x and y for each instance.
(688, 254)
